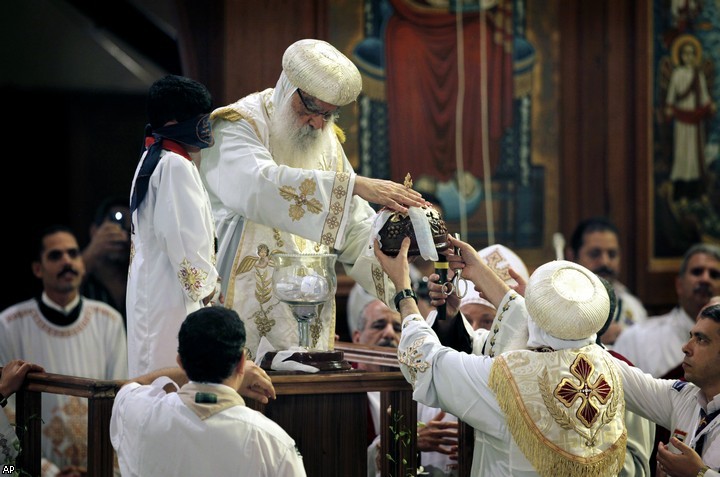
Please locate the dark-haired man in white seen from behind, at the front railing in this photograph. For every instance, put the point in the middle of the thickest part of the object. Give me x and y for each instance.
(192, 420)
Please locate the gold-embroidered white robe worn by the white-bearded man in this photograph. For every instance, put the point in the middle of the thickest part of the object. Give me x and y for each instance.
(258, 202)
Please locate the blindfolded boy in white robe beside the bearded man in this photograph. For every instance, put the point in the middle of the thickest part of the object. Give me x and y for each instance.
(172, 265)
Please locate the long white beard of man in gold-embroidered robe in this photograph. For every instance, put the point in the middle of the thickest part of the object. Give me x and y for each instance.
(297, 145)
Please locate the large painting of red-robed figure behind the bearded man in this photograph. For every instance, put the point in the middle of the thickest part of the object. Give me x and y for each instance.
(447, 97)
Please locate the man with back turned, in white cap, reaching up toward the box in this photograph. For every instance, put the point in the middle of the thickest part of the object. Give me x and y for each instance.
(554, 408)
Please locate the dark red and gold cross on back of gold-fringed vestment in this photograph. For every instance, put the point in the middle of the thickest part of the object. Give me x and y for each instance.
(567, 392)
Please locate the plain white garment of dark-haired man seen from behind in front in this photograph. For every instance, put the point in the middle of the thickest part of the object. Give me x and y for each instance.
(156, 434)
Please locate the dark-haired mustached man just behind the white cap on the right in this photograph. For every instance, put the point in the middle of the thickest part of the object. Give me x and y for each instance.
(595, 245)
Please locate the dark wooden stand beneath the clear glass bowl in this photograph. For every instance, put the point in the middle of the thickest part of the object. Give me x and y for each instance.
(327, 415)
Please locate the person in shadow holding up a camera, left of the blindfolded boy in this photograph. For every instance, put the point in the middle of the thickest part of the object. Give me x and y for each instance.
(107, 256)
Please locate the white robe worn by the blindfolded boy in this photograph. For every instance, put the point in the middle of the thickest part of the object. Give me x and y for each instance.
(172, 262)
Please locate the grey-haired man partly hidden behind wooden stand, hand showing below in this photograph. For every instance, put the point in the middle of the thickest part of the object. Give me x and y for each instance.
(372, 322)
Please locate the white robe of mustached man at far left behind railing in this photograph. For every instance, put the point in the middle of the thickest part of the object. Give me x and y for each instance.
(93, 346)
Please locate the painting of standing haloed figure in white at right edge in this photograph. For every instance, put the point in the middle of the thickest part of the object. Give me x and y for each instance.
(686, 125)
